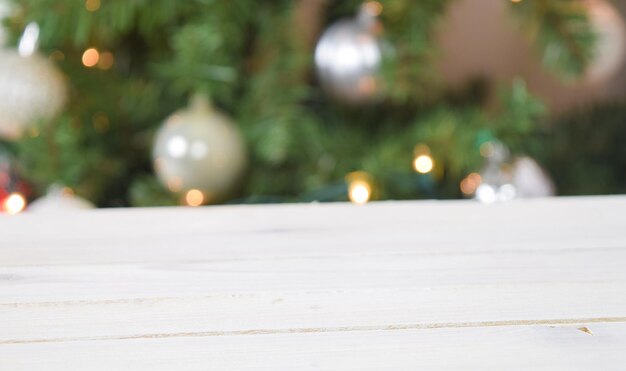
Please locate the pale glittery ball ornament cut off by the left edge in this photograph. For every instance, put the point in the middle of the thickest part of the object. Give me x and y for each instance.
(31, 88)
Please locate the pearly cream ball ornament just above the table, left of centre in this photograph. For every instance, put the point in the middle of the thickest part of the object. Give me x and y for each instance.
(200, 152)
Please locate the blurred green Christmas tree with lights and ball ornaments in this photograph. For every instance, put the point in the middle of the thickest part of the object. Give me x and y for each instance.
(375, 121)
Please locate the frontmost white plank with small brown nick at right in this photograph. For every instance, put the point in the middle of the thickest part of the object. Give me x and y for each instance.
(483, 348)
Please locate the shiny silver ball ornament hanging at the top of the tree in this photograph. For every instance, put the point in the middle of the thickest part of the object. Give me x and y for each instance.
(349, 57)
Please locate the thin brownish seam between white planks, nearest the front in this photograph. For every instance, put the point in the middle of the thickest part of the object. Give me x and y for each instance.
(307, 330)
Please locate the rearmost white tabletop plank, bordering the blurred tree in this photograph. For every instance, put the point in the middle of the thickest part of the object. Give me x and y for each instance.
(311, 230)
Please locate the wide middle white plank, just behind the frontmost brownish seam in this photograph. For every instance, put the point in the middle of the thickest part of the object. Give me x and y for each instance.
(69, 301)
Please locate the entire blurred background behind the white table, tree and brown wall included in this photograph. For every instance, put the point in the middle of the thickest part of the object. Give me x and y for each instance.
(114, 103)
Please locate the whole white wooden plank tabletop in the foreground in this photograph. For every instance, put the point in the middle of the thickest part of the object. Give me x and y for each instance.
(537, 284)
